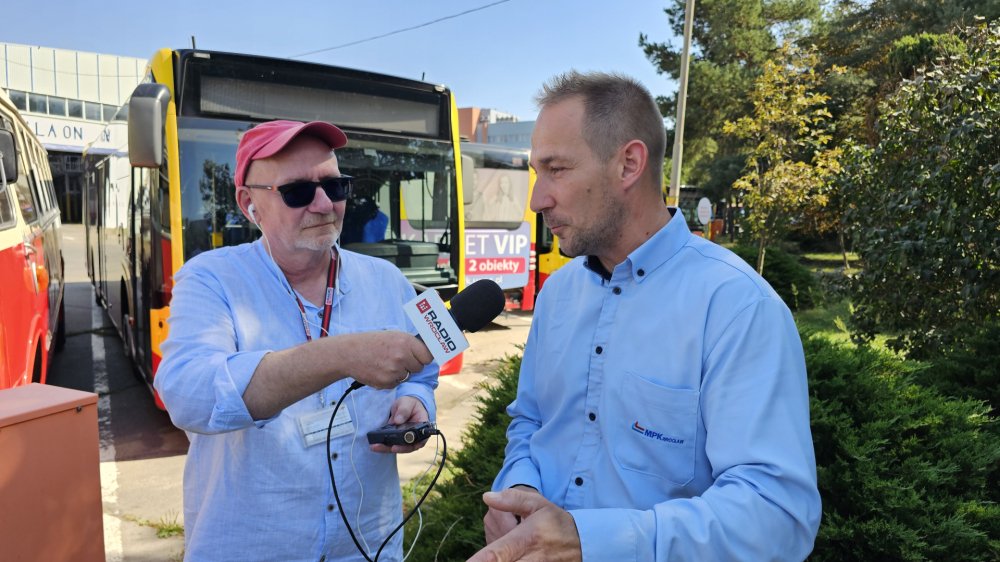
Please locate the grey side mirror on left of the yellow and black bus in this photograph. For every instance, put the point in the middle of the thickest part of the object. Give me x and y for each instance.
(147, 114)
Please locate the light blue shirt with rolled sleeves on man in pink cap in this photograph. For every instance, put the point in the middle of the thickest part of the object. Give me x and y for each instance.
(252, 492)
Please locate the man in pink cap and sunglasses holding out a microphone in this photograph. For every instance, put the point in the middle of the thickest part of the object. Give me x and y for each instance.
(264, 339)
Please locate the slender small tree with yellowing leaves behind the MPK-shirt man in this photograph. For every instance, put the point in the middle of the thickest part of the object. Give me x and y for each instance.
(788, 165)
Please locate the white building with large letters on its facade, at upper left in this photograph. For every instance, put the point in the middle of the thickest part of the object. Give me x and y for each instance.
(67, 99)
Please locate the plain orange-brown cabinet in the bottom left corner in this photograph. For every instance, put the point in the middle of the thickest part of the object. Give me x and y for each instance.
(50, 477)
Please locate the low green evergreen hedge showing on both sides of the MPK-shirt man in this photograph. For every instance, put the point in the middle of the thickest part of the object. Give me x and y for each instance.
(905, 472)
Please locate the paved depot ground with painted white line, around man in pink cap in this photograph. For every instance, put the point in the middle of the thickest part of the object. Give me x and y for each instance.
(143, 454)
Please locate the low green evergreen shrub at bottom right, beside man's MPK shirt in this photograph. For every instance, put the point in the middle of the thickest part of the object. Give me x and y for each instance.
(904, 472)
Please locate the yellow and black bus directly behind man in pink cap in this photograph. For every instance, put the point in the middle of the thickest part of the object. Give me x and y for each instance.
(166, 193)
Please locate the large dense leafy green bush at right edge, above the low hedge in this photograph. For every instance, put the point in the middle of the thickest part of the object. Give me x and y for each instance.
(926, 203)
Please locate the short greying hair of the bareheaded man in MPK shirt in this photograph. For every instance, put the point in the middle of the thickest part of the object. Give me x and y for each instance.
(618, 109)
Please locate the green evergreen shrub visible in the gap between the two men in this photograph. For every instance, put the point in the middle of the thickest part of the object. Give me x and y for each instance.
(456, 506)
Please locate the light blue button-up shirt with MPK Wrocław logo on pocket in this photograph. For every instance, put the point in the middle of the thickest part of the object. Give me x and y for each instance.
(667, 409)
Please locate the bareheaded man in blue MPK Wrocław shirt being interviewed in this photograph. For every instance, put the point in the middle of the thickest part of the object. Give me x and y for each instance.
(662, 411)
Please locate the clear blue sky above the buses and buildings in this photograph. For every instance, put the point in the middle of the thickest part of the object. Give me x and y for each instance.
(495, 58)
